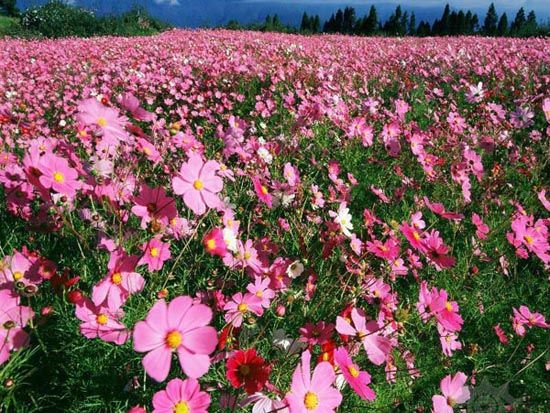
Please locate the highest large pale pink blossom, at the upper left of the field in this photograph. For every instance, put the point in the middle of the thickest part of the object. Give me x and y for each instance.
(104, 120)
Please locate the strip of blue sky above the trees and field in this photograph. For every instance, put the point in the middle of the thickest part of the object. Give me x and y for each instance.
(195, 13)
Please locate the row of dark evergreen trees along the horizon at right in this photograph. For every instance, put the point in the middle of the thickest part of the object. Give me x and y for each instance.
(403, 23)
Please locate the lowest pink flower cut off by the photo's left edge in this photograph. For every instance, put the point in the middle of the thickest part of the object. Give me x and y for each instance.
(13, 317)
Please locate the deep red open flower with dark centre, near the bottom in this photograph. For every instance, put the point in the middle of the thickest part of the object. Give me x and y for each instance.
(246, 367)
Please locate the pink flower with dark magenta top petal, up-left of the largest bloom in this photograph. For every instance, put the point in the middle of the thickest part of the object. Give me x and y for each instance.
(121, 281)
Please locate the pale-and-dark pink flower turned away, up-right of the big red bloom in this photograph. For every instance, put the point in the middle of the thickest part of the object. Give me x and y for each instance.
(377, 346)
